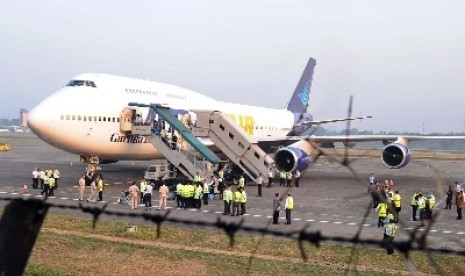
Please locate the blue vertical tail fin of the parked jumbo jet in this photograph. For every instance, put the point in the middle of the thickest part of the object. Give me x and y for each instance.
(299, 100)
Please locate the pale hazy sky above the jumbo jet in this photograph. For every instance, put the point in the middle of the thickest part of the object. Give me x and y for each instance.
(403, 61)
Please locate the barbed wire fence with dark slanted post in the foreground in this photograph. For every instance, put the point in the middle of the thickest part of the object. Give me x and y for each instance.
(23, 217)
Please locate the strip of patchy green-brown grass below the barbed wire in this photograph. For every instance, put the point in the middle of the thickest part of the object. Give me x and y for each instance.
(70, 246)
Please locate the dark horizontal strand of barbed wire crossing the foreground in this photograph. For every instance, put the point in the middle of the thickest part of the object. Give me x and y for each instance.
(415, 243)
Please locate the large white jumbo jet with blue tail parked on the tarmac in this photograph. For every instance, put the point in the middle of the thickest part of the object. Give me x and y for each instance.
(83, 118)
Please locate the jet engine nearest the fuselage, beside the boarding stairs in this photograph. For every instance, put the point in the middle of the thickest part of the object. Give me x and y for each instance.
(294, 157)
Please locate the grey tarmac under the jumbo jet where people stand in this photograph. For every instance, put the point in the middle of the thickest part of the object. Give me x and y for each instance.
(332, 198)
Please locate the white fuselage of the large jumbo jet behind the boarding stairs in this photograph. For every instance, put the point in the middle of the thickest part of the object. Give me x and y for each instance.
(84, 119)
